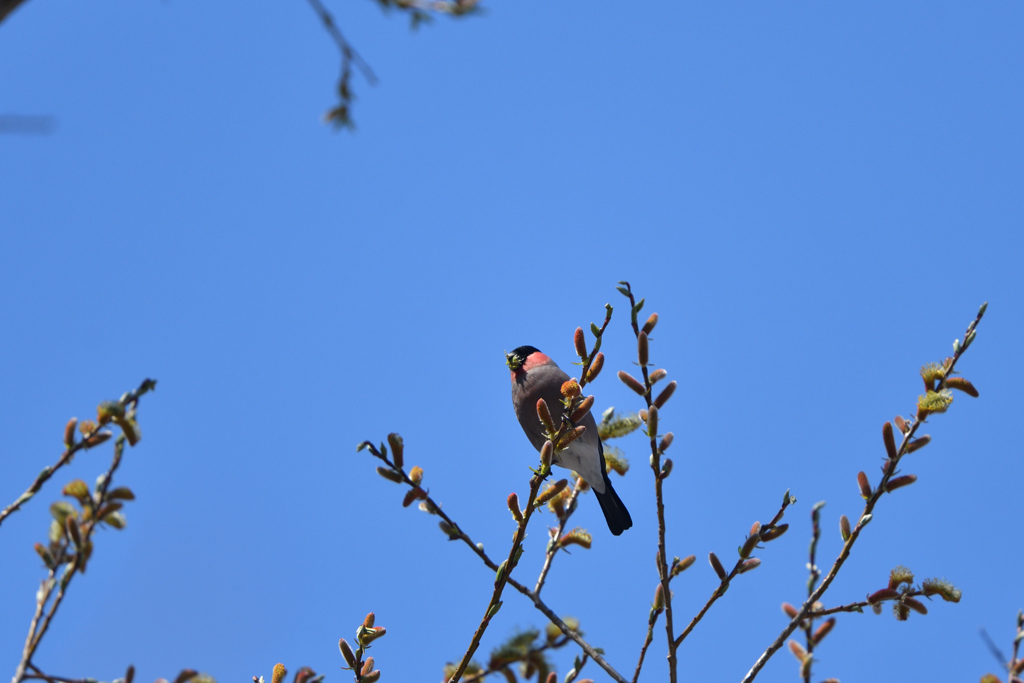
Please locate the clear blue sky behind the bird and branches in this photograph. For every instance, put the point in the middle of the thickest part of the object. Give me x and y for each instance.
(815, 198)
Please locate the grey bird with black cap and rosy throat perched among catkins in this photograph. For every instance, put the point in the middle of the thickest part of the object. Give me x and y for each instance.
(536, 376)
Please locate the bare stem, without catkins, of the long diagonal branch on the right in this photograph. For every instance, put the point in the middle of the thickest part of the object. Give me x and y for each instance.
(869, 507)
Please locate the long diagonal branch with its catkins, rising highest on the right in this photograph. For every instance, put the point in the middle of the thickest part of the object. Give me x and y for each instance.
(934, 401)
